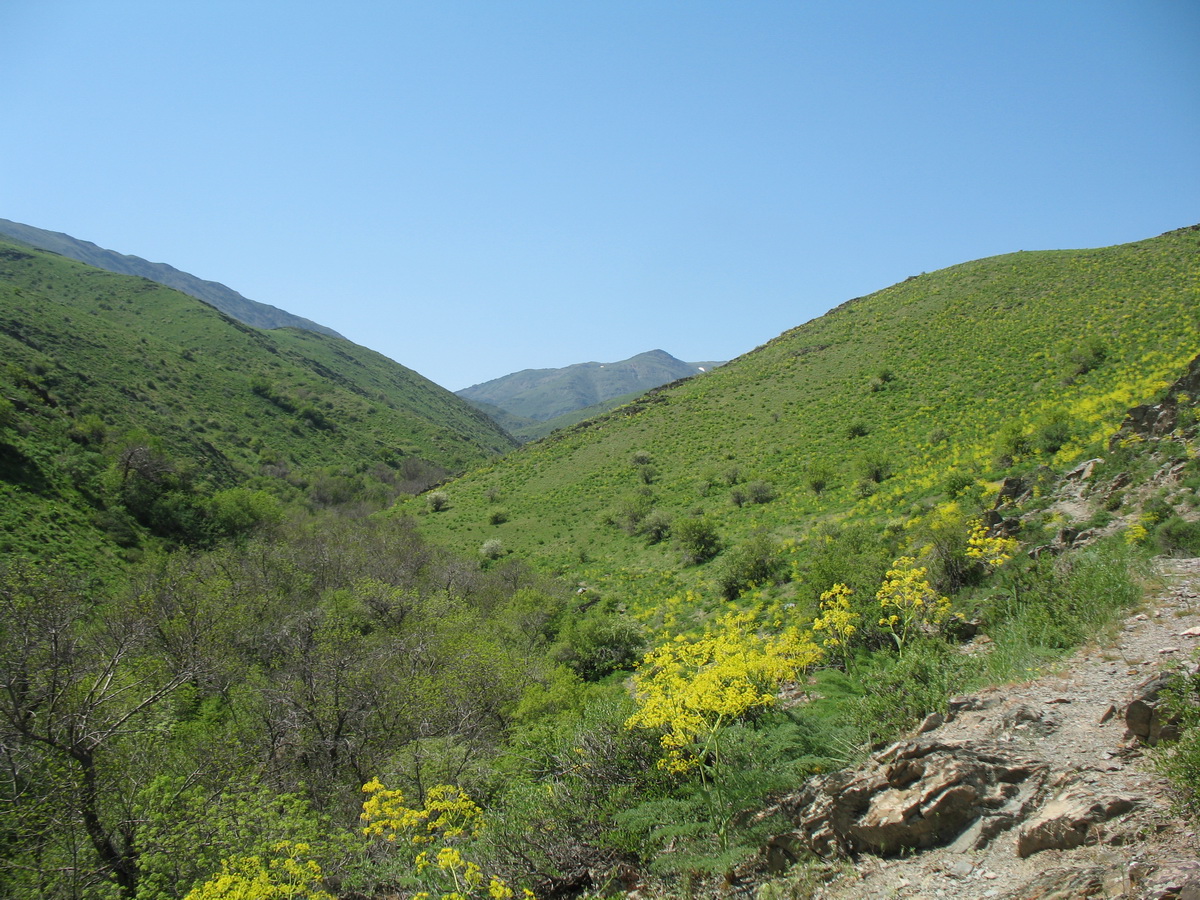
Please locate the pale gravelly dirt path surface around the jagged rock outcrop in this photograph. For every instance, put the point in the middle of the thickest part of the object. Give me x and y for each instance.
(1075, 722)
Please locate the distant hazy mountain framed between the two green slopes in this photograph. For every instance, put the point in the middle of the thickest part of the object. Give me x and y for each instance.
(544, 394)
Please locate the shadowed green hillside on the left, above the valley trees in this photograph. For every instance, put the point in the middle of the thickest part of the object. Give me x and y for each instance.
(112, 382)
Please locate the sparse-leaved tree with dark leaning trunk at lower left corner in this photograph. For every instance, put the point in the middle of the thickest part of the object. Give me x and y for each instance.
(76, 686)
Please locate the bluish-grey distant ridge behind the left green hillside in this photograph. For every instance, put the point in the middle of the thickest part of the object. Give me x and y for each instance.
(229, 301)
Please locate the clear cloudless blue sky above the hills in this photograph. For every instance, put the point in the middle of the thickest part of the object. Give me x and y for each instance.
(479, 188)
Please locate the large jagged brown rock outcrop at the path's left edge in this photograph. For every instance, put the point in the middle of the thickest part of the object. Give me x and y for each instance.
(919, 794)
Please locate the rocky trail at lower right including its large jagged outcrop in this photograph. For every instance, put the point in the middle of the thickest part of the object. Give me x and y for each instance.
(1034, 791)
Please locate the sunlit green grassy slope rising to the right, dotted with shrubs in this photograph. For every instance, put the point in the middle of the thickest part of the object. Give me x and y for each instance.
(971, 350)
